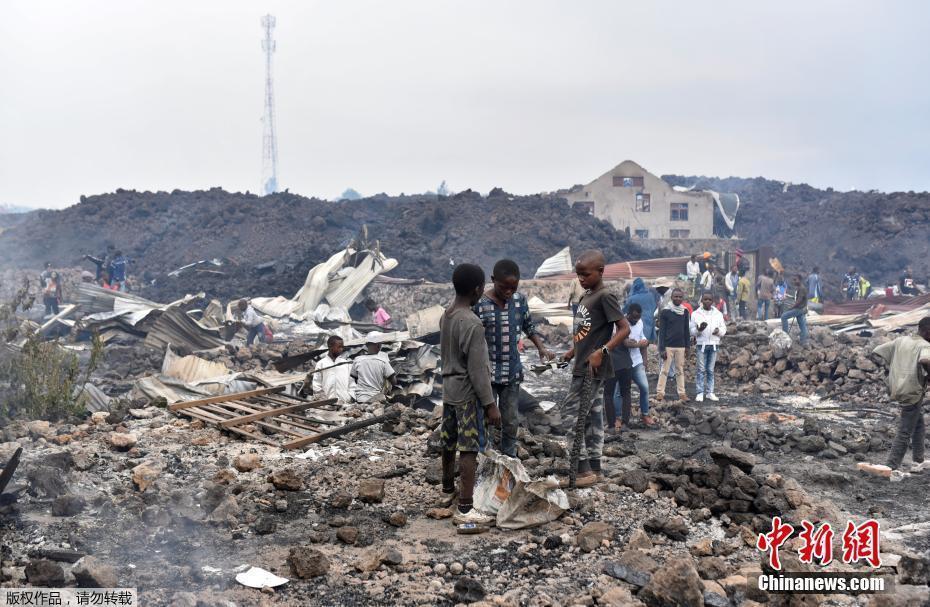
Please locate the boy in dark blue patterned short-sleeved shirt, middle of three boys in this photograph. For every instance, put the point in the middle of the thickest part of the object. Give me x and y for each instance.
(505, 314)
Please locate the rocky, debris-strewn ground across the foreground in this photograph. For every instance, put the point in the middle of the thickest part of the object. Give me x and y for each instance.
(138, 495)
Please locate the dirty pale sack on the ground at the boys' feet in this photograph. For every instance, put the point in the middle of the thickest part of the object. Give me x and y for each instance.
(503, 488)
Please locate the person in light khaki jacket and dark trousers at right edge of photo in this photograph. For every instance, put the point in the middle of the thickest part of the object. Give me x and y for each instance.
(908, 364)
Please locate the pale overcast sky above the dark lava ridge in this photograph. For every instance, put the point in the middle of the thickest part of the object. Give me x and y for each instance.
(528, 95)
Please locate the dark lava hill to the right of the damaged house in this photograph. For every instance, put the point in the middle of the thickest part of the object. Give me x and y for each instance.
(879, 233)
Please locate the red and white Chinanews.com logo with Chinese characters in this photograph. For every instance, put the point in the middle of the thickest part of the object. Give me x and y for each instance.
(860, 546)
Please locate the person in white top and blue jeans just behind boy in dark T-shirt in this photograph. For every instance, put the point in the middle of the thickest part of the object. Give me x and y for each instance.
(634, 349)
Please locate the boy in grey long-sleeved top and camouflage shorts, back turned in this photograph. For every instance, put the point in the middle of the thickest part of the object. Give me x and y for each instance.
(467, 397)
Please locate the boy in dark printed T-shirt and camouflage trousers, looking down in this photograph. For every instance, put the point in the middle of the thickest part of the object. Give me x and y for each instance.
(598, 313)
